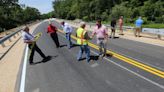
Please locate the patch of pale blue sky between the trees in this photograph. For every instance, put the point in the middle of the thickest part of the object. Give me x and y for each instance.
(44, 6)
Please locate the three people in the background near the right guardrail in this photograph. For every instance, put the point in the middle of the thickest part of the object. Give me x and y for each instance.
(137, 31)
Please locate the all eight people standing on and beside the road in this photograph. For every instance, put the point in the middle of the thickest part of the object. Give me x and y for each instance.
(82, 35)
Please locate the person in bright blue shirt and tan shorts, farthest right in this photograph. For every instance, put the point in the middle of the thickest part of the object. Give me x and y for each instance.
(138, 24)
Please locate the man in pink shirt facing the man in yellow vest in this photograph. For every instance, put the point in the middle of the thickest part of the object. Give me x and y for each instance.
(101, 33)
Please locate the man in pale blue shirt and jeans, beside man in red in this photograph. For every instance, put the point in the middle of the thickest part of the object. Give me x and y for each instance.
(68, 30)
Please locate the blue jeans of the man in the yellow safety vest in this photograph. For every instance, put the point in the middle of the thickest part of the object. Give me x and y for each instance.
(87, 52)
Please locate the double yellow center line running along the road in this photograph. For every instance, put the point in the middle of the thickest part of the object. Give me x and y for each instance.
(128, 60)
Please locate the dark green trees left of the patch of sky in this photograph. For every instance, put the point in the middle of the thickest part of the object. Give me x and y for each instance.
(12, 14)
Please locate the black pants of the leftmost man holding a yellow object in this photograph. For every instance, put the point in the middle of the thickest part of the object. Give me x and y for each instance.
(35, 48)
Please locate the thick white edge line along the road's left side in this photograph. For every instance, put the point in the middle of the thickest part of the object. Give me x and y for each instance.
(23, 77)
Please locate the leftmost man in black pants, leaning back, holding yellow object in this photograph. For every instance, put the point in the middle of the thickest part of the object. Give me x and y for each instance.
(30, 40)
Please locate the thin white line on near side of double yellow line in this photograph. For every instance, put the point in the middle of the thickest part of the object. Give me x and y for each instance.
(157, 84)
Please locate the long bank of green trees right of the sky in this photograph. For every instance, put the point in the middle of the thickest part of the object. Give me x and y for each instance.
(152, 11)
